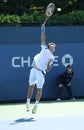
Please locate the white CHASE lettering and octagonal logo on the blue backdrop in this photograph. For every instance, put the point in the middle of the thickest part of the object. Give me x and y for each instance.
(65, 60)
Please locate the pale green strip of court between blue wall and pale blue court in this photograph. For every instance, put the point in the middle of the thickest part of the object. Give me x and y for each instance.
(45, 109)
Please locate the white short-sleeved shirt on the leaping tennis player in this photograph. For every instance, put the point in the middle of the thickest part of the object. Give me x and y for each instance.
(42, 58)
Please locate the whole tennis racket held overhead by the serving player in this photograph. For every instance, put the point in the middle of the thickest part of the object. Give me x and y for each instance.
(49, 11)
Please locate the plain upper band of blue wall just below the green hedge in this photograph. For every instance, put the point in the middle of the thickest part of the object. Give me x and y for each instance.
(26, 35)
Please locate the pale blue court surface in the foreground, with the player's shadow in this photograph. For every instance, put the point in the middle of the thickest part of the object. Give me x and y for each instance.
(75, 122)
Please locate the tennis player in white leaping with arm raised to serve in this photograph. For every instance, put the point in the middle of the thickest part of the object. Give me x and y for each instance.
(42, 63)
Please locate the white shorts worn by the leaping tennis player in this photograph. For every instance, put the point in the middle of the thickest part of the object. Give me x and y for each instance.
(36, 77)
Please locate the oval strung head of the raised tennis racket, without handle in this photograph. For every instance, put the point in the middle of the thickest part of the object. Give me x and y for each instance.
(50, 9)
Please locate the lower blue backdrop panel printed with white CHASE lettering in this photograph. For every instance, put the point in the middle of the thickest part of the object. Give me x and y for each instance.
(16, 62)
